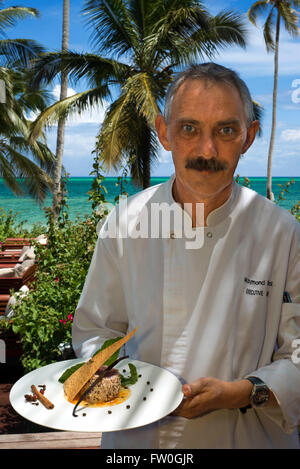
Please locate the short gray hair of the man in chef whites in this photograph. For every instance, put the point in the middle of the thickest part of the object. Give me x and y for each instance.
(213, 73)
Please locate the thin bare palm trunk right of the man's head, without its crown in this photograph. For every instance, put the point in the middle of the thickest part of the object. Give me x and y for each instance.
(270, 194)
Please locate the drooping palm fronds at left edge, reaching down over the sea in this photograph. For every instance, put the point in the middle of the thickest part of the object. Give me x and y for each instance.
(23, 164)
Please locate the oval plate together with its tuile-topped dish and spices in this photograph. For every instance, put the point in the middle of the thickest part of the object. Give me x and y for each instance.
(131, 393)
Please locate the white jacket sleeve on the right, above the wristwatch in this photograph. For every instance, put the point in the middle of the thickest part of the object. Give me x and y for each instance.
(283, 374)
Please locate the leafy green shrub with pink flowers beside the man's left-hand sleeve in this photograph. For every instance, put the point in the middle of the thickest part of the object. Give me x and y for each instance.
(43, 318)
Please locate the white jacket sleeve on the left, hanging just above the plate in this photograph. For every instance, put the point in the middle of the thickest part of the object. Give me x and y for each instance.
(101, 311)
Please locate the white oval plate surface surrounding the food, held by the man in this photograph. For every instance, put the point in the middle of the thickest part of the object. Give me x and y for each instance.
(164, 398)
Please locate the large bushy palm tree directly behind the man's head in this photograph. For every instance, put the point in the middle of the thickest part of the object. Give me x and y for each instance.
(143, 43)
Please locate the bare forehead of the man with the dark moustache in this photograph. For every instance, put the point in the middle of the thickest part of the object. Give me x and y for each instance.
(202, 100)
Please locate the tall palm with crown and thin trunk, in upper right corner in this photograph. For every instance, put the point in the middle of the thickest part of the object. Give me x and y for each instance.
(276, 11)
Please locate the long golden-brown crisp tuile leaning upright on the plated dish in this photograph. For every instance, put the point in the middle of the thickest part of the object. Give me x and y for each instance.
(80, 377)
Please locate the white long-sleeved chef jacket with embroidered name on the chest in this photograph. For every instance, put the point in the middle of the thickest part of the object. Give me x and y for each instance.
(199, 314)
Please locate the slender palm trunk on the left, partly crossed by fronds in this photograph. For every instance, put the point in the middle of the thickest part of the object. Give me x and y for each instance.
(62, 121)
